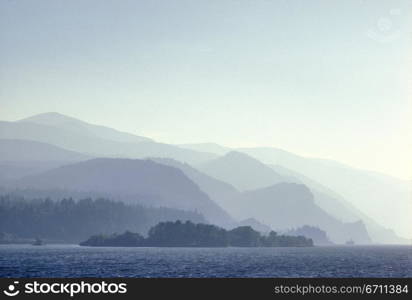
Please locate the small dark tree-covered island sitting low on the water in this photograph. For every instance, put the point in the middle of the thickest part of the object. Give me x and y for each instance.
(188, 234)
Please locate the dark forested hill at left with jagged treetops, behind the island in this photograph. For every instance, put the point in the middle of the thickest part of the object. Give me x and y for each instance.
(73, 221)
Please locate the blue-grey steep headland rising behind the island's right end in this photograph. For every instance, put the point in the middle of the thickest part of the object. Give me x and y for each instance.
(290, 205)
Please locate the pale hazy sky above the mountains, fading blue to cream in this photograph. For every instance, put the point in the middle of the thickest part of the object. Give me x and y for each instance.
(328, 79)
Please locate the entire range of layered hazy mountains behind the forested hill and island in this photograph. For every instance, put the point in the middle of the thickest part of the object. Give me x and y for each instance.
(50, 152)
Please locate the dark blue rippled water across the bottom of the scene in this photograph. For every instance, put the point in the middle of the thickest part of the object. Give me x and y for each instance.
(75, 261)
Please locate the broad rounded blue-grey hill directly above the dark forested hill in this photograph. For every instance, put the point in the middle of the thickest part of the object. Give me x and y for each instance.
(131, 180)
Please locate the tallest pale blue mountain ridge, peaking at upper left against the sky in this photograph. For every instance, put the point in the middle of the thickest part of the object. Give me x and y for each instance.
(75, 135)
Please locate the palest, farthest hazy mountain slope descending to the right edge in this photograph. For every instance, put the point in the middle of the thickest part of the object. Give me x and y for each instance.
(348, 193)
